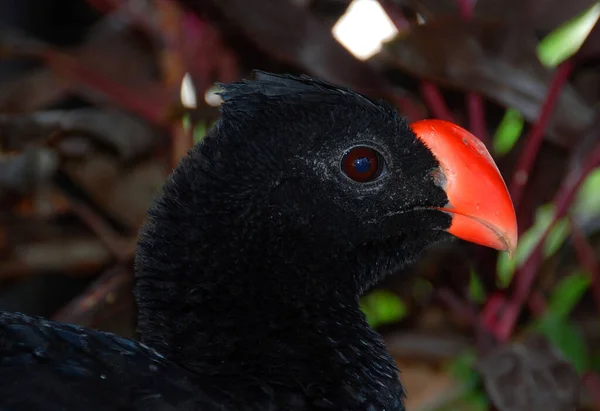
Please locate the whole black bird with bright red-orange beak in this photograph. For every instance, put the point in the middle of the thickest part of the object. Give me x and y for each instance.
(253, 257)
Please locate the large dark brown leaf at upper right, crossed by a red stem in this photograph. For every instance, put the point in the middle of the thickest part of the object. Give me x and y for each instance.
(478, 56)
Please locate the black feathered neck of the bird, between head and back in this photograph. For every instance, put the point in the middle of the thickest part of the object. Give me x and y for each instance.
(246, 299)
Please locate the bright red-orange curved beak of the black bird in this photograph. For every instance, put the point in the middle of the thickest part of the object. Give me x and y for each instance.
(481, 208)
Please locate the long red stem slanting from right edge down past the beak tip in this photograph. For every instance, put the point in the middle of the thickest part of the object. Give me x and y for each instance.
(526, 275)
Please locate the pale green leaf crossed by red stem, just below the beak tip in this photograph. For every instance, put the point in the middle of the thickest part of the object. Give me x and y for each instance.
(527, 241)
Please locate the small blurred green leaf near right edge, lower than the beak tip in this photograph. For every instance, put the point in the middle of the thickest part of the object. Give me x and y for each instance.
(567, 293)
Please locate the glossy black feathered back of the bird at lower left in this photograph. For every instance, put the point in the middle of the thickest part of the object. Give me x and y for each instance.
(50, 366)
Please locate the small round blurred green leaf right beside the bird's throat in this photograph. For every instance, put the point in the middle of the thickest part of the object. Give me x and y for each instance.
(383, 307)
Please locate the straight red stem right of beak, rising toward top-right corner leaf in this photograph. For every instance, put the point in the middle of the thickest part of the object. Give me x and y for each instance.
(534, 139)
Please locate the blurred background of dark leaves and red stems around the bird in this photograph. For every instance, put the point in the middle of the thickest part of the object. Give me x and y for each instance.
(99, 99)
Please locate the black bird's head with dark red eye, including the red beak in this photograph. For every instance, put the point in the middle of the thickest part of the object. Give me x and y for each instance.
(321, 176)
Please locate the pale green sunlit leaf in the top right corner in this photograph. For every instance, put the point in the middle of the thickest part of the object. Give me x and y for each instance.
(564, 41)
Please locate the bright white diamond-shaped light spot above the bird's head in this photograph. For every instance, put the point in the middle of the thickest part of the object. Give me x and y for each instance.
(364, 28)
